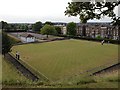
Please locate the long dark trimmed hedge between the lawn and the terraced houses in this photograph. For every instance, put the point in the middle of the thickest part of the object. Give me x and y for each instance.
(91, 39)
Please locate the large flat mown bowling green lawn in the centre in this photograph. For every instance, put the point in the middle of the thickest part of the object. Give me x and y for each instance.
(62, 59)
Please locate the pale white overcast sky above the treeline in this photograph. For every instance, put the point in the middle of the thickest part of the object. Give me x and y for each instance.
(30, 11)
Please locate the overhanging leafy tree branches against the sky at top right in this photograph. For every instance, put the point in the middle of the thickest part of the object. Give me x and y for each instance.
(87, 10)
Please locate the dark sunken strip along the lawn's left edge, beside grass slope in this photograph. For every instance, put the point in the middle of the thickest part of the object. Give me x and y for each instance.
(26, 72)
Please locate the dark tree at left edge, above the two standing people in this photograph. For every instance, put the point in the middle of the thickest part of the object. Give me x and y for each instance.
(6, 43)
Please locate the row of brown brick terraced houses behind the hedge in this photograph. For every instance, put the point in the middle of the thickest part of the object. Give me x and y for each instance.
(93, 30)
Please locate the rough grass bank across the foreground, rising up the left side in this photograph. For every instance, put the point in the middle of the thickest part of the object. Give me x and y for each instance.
(11, 78)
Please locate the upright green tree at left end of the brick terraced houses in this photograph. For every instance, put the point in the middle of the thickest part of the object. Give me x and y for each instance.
(71, 28)
